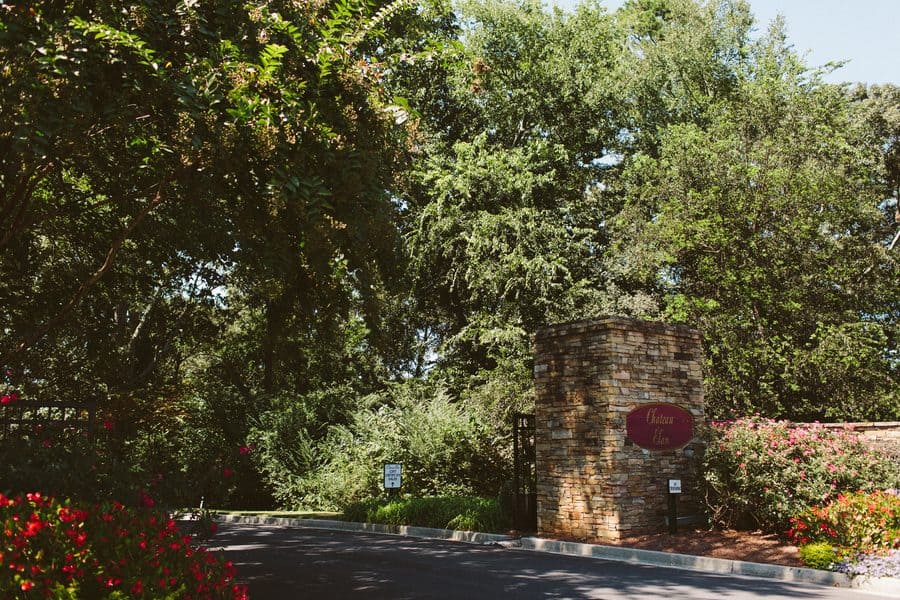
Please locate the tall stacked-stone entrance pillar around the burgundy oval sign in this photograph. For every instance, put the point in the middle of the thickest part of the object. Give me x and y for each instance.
(592, 482)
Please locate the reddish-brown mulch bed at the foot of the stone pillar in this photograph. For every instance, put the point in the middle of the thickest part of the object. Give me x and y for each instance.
(735, 545)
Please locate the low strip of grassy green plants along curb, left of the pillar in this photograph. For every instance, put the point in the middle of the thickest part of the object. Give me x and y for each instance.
(442, 512)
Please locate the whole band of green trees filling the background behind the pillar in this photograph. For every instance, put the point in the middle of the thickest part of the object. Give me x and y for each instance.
(278, 222)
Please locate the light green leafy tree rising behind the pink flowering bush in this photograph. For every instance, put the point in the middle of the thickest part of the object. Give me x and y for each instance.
(760, 224)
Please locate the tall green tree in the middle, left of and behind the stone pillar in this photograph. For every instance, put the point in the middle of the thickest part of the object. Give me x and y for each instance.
(500, 235)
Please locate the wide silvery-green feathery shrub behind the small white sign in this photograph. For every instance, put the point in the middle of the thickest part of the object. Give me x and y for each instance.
(445, 447)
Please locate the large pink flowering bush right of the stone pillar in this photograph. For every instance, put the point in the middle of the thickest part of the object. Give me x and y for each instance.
(761, 472)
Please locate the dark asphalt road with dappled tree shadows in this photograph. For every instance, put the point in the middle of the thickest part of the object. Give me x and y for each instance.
(285, 563)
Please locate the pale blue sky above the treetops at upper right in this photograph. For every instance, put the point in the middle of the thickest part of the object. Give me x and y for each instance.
(865, 32)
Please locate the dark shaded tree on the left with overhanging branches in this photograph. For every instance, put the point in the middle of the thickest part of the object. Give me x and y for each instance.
(150, 156)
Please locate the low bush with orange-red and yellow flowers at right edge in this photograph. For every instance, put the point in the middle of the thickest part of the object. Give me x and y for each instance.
(857, 522)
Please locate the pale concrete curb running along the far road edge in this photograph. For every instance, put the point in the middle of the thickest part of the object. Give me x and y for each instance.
(723, 566)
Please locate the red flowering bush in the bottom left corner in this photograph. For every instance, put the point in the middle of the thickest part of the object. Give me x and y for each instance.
(53, 549)
